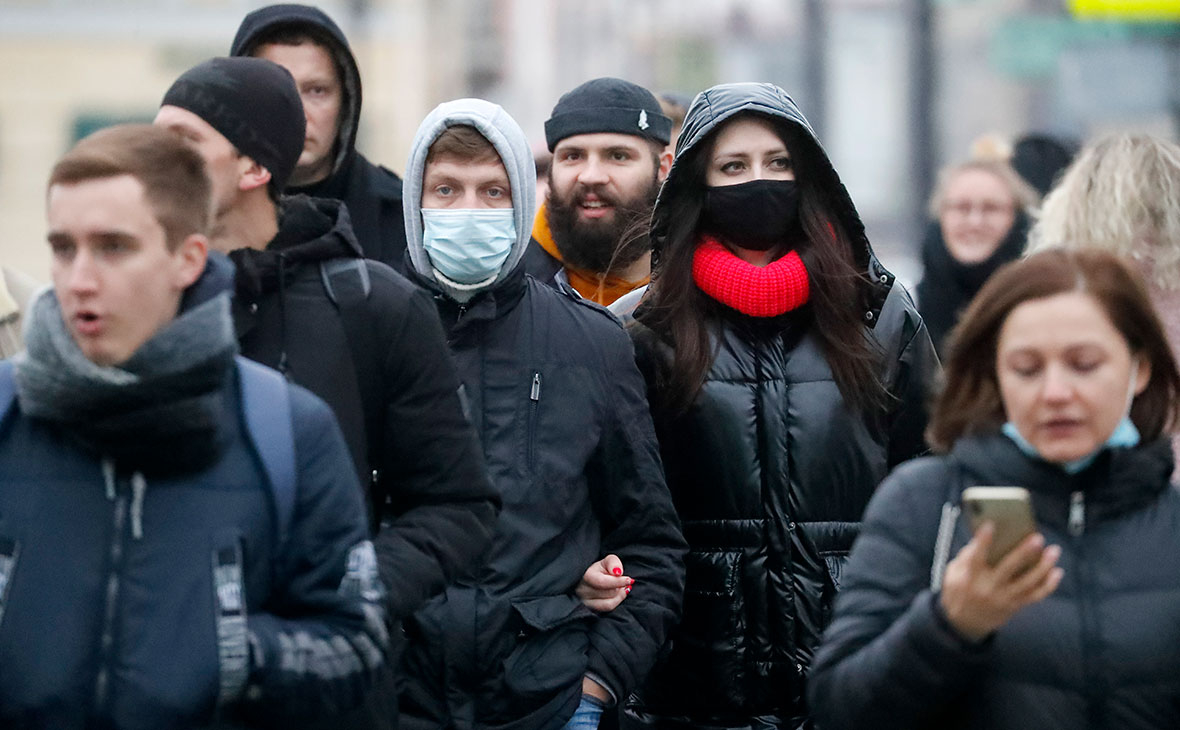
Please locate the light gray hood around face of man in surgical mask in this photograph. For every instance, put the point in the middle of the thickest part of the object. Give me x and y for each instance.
(510, 142)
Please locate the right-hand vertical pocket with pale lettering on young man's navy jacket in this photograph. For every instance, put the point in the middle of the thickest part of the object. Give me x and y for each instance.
(230, 607)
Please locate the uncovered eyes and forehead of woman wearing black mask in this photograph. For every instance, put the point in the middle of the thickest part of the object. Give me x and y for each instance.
(749, 149)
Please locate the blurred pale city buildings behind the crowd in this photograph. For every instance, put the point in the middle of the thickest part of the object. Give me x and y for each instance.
(895, 88)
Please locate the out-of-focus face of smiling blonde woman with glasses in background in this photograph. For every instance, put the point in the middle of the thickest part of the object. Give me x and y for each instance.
(976, 215)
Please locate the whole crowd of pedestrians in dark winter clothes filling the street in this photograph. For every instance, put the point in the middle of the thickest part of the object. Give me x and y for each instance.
(296, 443)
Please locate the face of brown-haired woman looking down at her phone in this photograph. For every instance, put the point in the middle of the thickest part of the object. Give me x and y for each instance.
(1065, 373)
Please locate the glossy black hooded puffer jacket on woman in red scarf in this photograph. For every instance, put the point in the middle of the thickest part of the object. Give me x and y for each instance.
(770, 471)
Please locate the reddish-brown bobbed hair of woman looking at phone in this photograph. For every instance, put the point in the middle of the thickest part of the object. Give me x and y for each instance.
(969, 402)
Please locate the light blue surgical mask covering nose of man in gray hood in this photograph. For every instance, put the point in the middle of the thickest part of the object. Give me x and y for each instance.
(467, 246)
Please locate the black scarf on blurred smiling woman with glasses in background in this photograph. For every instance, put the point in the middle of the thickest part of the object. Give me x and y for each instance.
(948, 286)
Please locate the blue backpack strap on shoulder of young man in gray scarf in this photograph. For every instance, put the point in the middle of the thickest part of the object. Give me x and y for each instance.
(266, 405)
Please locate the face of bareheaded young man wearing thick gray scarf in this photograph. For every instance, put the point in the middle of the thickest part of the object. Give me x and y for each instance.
(115, 278)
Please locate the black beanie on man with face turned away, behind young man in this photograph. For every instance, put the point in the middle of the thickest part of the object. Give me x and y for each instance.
(253, 103)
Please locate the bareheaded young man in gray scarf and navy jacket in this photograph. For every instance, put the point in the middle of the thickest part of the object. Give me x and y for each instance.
(148, 577)
